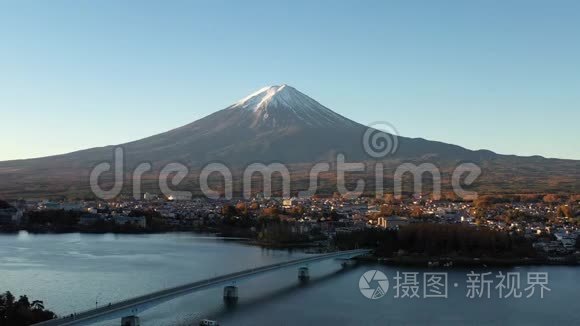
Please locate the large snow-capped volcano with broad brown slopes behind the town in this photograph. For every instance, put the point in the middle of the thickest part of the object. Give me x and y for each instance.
(277, 124)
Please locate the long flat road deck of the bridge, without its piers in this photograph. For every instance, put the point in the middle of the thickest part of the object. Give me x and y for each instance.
(170, 293)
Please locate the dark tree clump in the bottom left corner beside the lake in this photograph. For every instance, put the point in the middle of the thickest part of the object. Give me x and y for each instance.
(22, 312)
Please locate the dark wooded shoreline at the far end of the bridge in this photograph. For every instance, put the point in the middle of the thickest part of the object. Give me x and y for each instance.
(438, 240)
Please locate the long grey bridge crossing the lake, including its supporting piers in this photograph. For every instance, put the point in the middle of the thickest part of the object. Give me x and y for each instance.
(128, 309)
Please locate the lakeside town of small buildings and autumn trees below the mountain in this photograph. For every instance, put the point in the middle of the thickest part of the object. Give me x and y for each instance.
(551, 223)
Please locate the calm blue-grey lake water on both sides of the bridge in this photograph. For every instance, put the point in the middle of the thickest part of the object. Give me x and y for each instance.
(73, 272)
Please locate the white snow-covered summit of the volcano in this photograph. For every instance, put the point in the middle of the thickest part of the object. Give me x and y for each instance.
(283, 105)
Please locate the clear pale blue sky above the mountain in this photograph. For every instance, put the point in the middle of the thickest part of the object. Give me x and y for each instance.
(500, 75)
